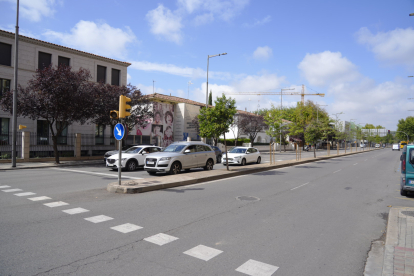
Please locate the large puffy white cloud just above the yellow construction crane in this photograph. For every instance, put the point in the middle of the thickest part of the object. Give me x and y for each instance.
(327, 68)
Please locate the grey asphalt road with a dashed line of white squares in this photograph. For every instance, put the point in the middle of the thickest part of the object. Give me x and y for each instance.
(312, 219)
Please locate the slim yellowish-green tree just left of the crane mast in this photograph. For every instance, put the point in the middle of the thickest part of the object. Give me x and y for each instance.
(276, 126)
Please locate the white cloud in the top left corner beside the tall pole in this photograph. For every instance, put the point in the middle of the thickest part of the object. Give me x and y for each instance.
(34, 10)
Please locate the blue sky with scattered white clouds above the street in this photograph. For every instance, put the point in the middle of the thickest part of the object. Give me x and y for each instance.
(358, 53)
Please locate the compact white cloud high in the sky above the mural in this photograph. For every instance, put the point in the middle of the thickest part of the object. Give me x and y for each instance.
(165, 24)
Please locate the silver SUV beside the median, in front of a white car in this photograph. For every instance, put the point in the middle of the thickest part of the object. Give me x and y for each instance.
(179, 156)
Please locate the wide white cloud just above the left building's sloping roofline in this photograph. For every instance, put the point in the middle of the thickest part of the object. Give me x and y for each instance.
(100, 39)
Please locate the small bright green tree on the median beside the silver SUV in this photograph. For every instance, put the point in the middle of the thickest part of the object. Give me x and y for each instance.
(216, 121)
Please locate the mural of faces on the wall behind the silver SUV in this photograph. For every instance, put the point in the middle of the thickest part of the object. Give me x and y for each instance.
(162, 125)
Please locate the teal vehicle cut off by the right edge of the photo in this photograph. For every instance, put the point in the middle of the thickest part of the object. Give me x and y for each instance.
(407, 171)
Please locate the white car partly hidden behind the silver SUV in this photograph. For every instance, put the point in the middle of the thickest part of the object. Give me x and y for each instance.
(132, 158)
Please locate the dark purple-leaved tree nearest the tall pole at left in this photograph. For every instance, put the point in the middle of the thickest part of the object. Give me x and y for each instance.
(58, 95)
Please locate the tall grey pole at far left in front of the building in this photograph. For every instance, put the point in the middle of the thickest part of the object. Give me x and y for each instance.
(16, 65)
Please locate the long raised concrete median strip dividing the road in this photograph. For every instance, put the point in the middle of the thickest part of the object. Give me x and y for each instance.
(171, 181)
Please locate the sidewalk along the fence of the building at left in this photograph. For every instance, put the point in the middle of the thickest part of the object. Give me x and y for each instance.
(37, 165)
